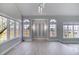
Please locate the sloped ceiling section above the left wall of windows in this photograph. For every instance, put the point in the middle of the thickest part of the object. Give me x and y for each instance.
(10, 10)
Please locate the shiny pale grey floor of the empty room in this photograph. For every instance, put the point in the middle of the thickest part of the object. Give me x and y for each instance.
(44, 48)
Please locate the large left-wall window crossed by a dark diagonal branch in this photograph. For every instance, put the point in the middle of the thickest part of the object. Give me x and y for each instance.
(3, 29)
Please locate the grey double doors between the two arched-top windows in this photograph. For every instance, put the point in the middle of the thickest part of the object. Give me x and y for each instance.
(40, 29)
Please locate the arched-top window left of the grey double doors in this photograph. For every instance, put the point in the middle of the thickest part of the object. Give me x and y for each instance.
(26, 24)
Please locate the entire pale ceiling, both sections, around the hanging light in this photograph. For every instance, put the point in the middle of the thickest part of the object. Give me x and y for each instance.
(31, 9)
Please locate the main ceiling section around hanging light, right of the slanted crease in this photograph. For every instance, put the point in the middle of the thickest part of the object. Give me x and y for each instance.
(49, 9)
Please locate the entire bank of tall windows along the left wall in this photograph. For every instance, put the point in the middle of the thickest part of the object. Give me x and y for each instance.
(8, 29)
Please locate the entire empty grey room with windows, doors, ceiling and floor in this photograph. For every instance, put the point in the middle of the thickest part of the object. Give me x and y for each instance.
(39, 28)
